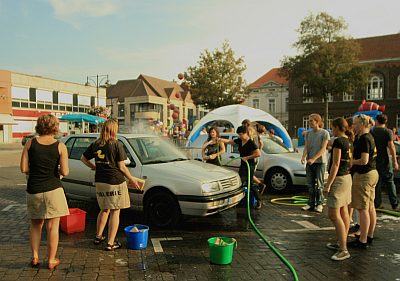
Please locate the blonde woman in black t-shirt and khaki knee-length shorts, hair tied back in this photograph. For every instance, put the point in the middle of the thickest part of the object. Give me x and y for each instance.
(364, 181)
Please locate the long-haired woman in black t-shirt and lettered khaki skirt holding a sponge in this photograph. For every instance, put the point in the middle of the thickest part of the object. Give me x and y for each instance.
(111, 188)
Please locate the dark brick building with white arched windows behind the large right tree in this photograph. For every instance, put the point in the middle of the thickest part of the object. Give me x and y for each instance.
(383, 88)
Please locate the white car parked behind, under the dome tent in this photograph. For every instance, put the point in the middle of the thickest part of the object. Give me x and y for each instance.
(278, 166)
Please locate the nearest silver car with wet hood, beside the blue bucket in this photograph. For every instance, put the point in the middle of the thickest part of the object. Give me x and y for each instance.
(174, 184)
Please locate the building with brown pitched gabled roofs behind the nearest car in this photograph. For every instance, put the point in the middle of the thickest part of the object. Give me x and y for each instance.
(152, 99)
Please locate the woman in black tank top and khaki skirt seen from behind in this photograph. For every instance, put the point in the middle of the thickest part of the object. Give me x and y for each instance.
(44, 159)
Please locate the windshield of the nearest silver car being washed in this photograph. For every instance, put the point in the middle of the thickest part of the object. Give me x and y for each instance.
(153, 150)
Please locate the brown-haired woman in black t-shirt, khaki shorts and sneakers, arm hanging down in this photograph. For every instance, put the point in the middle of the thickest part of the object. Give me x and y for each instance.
(338, 188)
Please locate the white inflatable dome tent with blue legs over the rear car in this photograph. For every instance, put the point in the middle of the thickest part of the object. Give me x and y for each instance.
(235, 114)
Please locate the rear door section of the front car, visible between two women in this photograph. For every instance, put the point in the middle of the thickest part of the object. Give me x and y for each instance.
(80, 181)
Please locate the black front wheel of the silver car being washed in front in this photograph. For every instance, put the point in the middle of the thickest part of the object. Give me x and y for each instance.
(162, 209)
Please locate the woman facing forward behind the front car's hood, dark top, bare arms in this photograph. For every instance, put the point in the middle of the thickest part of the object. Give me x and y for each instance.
(213, 148)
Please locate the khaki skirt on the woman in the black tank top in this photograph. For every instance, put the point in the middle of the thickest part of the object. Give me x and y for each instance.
(47, 205)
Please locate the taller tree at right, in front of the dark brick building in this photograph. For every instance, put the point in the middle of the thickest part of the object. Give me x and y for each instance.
(328, 60)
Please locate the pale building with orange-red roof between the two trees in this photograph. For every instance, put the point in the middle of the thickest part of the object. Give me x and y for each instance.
(270, 93)
